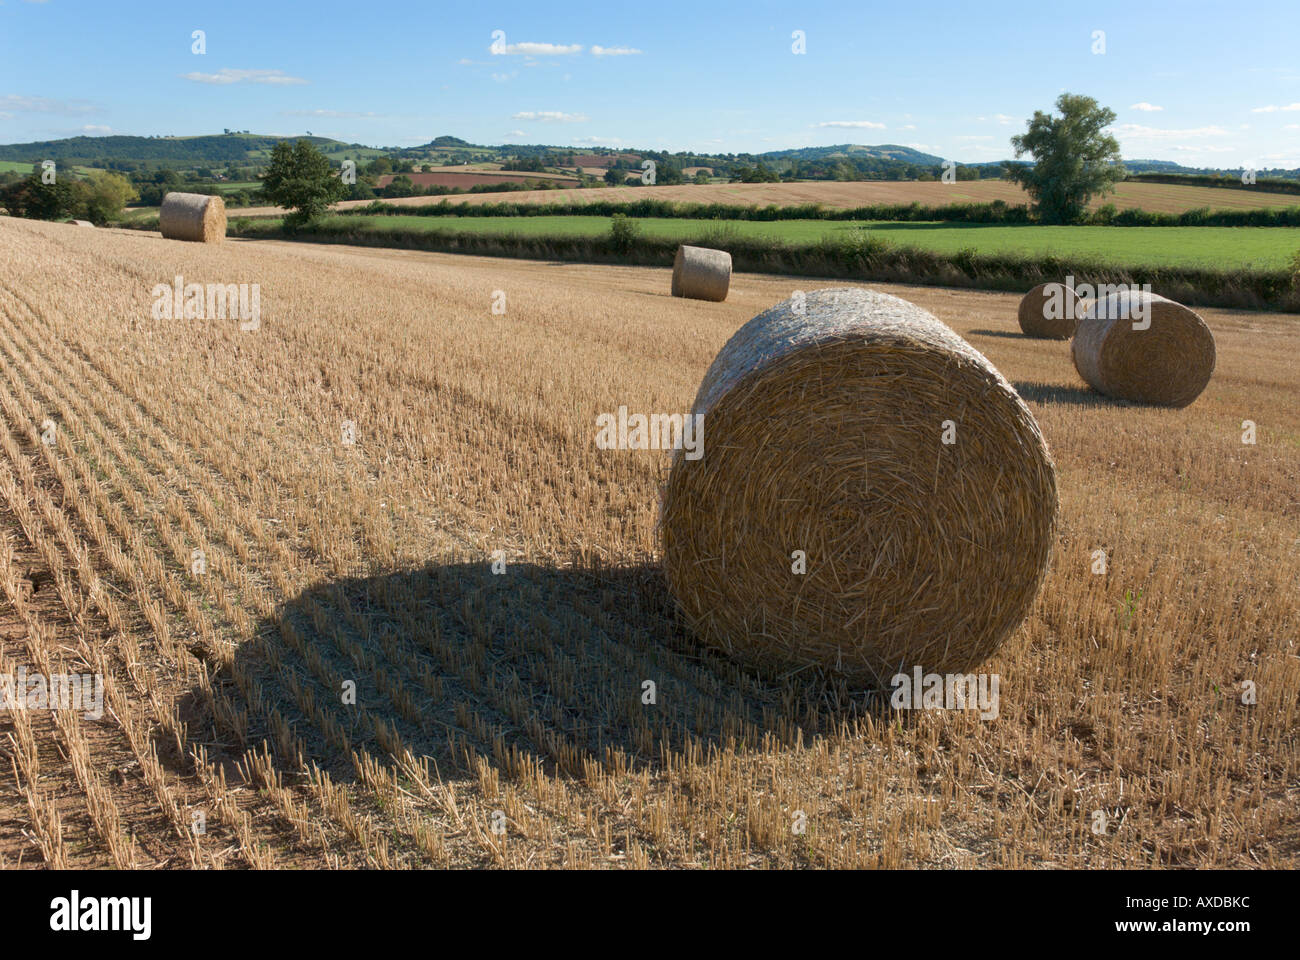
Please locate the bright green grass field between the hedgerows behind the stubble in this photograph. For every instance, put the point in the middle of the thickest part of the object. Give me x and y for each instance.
(1169, 247)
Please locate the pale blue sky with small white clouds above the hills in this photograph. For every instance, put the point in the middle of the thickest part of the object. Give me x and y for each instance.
(1203, 84)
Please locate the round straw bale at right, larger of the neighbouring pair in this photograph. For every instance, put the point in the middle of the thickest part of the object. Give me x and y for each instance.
(1169, 364)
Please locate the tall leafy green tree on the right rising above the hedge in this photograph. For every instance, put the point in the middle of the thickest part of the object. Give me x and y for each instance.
(1074, 159)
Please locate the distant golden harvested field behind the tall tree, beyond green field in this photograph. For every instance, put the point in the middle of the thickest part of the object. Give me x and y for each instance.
(1158, 198)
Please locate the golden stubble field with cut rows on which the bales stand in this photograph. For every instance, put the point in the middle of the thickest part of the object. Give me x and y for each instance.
(305, 648)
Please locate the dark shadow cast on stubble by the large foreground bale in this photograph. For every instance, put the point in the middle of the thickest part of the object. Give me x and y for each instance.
(548, 663)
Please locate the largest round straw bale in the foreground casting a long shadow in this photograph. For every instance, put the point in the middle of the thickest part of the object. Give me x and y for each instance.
(825, 434)
